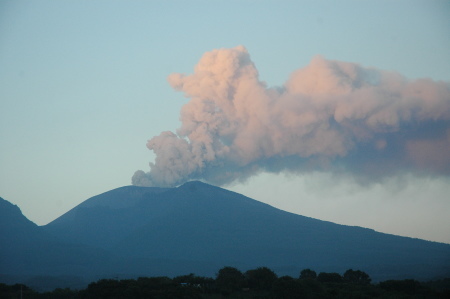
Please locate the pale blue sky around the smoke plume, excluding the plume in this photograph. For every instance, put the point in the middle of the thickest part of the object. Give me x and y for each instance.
(84, 86)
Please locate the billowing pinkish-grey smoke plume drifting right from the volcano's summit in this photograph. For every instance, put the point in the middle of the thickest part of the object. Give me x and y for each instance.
(329, 116)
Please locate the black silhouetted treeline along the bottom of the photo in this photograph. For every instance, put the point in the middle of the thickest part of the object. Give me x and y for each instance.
(256, 283)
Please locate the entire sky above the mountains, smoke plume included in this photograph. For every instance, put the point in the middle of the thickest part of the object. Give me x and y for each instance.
(88, 88)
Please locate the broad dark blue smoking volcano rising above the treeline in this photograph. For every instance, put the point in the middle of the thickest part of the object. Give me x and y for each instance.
(200, 228)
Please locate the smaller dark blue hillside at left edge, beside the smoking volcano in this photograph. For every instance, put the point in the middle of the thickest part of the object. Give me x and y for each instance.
(26, 249)
